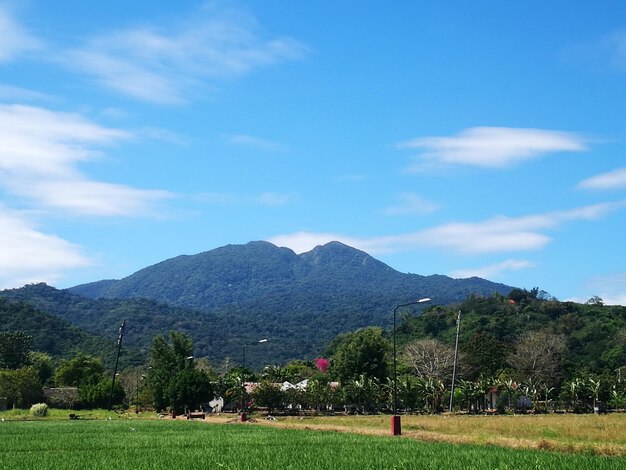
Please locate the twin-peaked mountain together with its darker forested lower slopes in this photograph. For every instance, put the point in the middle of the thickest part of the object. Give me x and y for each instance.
(237, 294)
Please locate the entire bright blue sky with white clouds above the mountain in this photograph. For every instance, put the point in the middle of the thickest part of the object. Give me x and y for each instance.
(458, 138)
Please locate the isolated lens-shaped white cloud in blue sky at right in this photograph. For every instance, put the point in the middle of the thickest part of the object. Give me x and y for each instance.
(493, 147)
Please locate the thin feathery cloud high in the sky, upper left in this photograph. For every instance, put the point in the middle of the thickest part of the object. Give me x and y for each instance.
(163, 64)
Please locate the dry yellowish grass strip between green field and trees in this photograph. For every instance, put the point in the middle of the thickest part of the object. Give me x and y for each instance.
(593, 434)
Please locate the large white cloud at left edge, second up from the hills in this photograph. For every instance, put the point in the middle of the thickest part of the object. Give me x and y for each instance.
(39, 155)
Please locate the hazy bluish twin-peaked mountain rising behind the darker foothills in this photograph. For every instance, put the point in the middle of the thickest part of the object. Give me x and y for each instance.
(243, 274)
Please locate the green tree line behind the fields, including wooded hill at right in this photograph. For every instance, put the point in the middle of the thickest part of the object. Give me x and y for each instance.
(525, 350)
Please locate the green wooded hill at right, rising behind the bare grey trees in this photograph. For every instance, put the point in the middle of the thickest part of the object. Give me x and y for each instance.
(540, 337)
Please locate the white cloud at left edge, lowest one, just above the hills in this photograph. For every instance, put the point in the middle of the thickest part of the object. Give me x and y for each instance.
(29, 255)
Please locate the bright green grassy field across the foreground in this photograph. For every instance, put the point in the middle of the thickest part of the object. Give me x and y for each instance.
(152, 444)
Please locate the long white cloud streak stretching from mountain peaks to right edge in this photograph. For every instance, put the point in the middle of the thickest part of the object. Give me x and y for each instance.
(495, 235)
